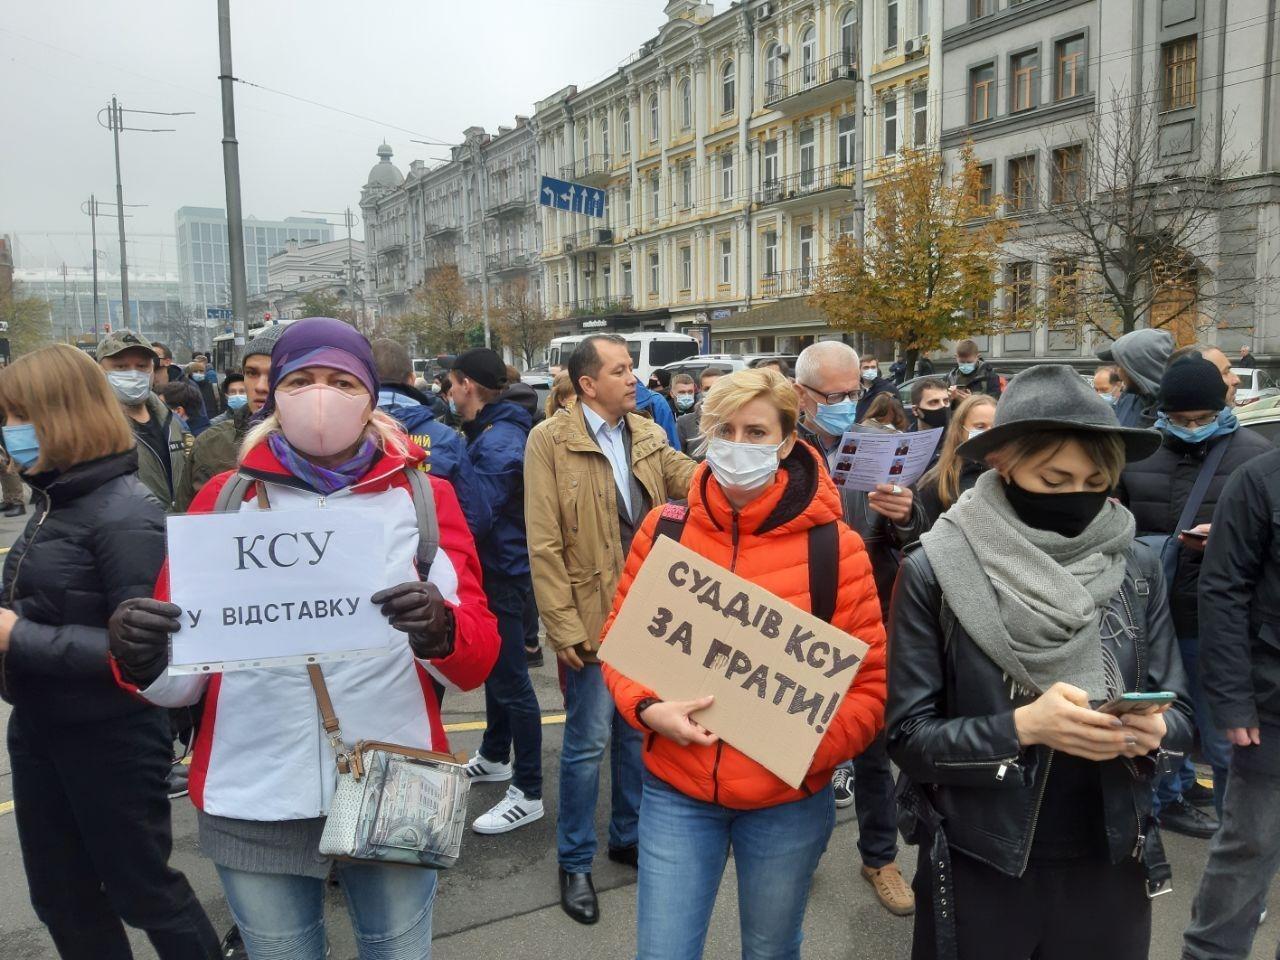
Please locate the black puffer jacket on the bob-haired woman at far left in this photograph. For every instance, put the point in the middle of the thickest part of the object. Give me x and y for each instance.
(95, 540)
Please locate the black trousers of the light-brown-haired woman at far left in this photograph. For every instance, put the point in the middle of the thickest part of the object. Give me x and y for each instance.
(93, 817)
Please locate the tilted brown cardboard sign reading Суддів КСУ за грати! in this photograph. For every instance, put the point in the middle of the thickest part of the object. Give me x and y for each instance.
(691, 628)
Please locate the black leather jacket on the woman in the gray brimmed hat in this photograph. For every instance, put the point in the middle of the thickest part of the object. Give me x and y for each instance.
(950, 719)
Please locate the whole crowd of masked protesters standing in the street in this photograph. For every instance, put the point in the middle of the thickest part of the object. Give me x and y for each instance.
(1077, 600)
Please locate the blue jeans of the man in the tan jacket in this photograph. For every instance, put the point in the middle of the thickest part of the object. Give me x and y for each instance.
(592, 725)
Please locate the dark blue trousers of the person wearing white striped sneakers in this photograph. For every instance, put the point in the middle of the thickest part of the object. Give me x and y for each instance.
(511, 705)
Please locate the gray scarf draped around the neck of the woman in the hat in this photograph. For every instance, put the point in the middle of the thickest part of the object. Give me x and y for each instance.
(1031, 600)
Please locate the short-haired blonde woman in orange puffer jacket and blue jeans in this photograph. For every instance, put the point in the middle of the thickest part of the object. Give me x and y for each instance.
(751, 509)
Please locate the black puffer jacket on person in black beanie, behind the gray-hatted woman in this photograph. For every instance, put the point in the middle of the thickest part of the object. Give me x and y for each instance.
(1156, 491)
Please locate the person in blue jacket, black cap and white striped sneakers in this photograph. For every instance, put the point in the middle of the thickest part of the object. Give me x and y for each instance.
(497, 431)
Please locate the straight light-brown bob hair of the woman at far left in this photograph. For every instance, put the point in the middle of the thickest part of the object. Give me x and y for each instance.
(66, 396)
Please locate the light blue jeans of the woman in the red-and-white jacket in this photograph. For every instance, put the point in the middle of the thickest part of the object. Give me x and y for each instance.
(281, 917)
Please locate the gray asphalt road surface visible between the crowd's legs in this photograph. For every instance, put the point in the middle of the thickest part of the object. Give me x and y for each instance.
(504, 900)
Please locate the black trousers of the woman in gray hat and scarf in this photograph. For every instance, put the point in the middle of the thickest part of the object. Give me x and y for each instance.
(1071, 911)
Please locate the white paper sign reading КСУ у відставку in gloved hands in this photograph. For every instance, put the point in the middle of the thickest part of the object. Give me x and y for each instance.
(268, 588)
